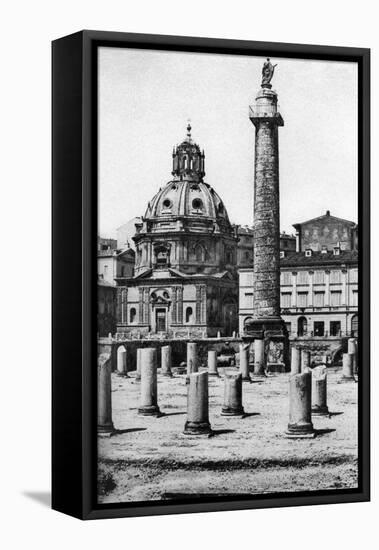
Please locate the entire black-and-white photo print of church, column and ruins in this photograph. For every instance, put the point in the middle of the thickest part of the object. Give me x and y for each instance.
(227, 276)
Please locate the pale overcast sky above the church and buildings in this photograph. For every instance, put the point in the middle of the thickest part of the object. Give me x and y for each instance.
(146, 98)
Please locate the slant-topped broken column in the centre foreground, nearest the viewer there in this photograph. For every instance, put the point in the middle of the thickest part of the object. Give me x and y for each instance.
(197, 405)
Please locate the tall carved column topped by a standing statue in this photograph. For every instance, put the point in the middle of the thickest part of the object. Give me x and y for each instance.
(267, 322)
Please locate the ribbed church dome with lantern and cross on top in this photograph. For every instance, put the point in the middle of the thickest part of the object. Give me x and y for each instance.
(187, 195)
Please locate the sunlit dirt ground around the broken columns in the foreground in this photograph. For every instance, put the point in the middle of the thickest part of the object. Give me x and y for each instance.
(149, 458)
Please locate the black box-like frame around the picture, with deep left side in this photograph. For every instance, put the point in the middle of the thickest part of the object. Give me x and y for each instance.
(74, 205)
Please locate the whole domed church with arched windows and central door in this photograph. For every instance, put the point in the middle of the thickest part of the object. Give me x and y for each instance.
(185, 281)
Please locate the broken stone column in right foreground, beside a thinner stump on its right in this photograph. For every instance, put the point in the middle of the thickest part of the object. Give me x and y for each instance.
(300, 417)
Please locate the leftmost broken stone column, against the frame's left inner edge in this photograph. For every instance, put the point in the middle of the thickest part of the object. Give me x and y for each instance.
(104, 395)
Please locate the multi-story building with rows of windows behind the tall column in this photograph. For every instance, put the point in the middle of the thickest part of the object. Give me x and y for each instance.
(319, 281)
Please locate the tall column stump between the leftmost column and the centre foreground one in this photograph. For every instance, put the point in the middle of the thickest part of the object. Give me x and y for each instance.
(149, 390)
